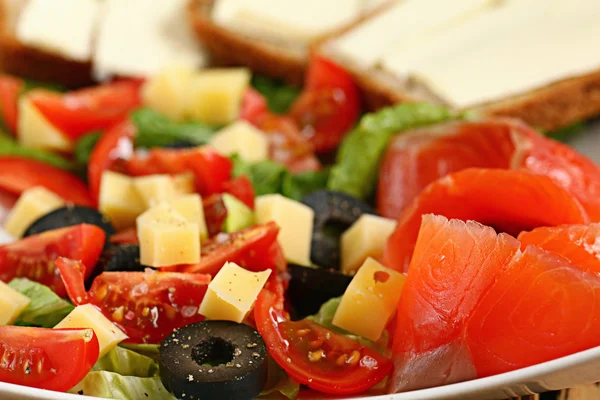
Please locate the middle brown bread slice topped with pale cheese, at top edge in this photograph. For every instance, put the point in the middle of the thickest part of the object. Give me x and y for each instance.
(273, 37)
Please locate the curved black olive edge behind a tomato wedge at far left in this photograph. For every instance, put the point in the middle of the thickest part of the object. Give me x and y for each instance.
(69, 216)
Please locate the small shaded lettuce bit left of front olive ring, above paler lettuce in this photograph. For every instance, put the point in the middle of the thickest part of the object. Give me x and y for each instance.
(127, 362)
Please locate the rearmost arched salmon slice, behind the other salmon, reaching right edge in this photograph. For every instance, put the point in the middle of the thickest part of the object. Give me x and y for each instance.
(414, 160)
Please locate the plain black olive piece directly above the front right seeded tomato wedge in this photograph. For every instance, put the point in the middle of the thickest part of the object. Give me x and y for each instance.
(310, 287)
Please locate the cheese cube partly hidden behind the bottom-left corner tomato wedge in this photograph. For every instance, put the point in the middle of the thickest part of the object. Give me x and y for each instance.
(88, 316)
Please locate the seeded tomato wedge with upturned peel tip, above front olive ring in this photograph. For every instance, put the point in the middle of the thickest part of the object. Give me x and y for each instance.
(148, 306)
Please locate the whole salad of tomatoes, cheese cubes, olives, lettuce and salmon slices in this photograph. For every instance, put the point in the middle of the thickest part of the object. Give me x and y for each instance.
(213, 234)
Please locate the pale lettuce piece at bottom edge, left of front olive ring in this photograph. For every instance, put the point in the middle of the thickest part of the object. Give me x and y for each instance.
(114, 386)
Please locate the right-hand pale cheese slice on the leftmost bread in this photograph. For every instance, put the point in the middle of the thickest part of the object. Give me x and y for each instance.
(157, 37)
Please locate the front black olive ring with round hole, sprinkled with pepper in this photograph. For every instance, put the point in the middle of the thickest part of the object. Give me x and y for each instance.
(214, 360)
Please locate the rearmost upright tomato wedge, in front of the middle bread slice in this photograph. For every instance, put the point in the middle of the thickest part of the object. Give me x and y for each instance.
(329, 105)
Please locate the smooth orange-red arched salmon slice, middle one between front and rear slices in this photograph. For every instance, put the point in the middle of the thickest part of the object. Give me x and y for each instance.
(511, 201)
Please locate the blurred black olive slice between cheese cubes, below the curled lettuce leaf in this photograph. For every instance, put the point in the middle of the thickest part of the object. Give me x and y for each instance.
(334, 213)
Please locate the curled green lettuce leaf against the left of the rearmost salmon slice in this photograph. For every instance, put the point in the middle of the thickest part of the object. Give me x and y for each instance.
(355, 171)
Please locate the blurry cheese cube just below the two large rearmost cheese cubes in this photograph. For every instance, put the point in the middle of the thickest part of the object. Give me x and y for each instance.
(243, 139)
